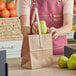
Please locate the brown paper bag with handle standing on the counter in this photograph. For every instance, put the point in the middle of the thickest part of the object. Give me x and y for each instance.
(37, 50)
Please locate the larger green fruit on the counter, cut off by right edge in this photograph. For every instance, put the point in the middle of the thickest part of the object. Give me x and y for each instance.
(72, 62)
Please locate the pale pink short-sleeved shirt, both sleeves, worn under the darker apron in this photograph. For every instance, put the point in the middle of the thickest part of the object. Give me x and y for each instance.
(25, 7)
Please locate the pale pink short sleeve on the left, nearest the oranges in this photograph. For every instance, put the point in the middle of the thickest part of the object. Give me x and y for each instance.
(24, 7)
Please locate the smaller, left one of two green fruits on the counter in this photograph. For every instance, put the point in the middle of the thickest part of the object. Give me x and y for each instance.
(62, 61)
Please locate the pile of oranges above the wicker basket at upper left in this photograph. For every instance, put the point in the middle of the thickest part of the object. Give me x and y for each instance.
(7, 10)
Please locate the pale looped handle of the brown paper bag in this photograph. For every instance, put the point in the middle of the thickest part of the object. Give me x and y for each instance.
(35, 13)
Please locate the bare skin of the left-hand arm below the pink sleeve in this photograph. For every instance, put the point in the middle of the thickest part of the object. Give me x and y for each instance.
(25, 24)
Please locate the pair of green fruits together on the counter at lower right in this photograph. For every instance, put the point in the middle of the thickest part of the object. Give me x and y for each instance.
(65, 62)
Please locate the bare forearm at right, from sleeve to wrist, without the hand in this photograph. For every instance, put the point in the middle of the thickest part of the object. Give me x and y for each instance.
(67, 25)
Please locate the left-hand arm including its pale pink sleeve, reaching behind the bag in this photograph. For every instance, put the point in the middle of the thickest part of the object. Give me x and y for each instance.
(25, 17)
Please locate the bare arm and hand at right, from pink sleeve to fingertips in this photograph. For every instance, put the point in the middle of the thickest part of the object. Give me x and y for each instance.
(65, 29)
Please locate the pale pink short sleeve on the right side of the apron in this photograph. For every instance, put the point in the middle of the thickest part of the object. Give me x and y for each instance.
(68, 6)
